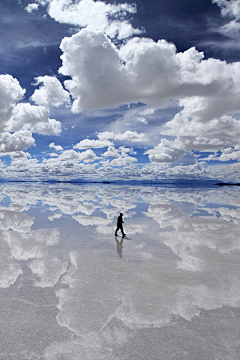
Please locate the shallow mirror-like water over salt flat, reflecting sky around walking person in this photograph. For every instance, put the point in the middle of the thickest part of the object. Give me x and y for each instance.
(70, 290)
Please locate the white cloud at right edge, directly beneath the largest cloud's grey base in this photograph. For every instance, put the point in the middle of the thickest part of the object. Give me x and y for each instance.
(203, 133)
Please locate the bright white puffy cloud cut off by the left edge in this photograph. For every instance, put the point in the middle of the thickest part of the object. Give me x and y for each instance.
(19, 120)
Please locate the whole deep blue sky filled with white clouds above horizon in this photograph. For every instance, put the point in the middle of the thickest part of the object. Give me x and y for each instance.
(145, 90)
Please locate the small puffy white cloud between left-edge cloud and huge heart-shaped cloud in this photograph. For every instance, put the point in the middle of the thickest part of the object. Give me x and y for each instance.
(50, 93)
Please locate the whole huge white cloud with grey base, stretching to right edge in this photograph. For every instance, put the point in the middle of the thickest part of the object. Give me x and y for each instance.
(144, 71)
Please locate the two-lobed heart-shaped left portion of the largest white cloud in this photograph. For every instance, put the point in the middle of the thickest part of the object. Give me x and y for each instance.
(100, 80)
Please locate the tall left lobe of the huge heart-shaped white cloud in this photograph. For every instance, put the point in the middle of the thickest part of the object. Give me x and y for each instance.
(94, 65)
